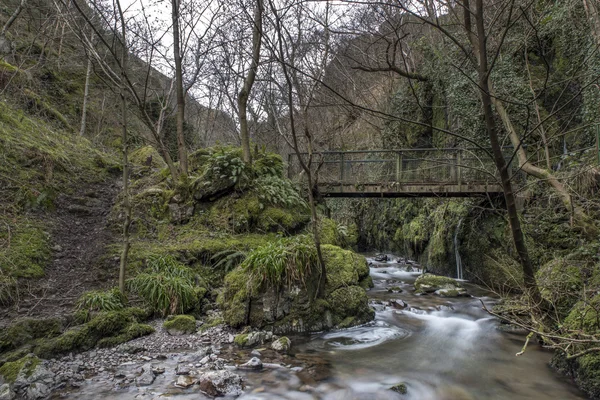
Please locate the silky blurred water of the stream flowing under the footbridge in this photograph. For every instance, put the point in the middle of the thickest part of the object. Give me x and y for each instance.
(440, 348)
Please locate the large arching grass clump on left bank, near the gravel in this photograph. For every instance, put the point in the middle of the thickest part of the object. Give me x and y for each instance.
(167, 287)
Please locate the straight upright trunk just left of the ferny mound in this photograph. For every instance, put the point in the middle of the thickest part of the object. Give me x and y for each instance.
(181, 146)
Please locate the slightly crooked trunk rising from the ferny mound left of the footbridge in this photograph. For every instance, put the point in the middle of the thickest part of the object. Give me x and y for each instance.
(249, 81)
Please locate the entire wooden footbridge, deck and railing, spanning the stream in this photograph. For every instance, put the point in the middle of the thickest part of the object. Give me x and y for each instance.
(401, 173)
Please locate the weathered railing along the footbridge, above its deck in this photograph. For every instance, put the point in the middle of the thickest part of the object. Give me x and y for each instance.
(404, 166)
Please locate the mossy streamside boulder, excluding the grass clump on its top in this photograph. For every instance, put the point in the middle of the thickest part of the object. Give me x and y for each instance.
(290, 309)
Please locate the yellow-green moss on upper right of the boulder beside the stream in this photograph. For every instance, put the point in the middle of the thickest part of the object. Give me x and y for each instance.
(344, 267)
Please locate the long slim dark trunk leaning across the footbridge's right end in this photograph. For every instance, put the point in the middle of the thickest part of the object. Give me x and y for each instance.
(509, 196)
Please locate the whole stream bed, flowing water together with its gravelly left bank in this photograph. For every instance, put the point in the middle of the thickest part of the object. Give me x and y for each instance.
(429, 340)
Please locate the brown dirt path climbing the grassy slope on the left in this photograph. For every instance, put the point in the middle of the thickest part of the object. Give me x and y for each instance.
(79, 236)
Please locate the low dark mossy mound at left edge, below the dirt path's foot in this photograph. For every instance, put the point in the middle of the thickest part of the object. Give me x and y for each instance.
(26, 330)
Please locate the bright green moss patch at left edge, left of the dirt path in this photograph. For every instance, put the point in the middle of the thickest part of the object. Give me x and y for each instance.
(24, 248)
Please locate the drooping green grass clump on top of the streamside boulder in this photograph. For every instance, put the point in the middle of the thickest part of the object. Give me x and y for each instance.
(284, 262)
